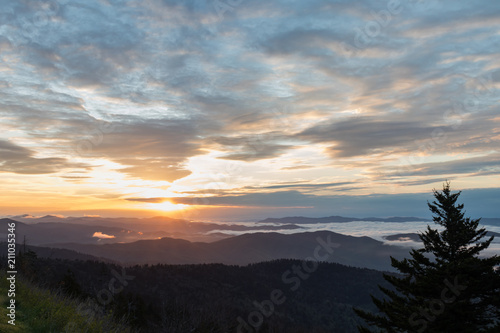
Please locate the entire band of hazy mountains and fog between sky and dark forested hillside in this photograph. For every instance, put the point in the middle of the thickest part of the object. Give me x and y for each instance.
(173, 241)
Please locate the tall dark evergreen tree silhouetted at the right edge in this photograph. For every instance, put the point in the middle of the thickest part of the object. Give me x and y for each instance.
(445, 286)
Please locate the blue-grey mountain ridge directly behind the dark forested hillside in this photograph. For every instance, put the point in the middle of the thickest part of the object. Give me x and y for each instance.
(249, 248)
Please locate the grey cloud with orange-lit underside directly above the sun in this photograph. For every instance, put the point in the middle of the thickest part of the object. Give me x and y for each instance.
(153, 149)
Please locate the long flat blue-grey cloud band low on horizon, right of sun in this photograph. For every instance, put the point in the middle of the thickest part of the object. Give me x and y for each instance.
(479, 203)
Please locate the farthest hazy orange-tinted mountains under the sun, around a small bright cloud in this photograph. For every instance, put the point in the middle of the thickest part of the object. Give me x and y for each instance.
(105, 231)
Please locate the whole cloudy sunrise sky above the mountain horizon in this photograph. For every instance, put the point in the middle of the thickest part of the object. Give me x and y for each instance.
(232, 109)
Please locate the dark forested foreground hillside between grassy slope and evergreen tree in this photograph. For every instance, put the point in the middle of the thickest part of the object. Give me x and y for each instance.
(211, 298)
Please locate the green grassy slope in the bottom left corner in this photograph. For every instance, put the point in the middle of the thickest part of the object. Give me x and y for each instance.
(40, 310)
